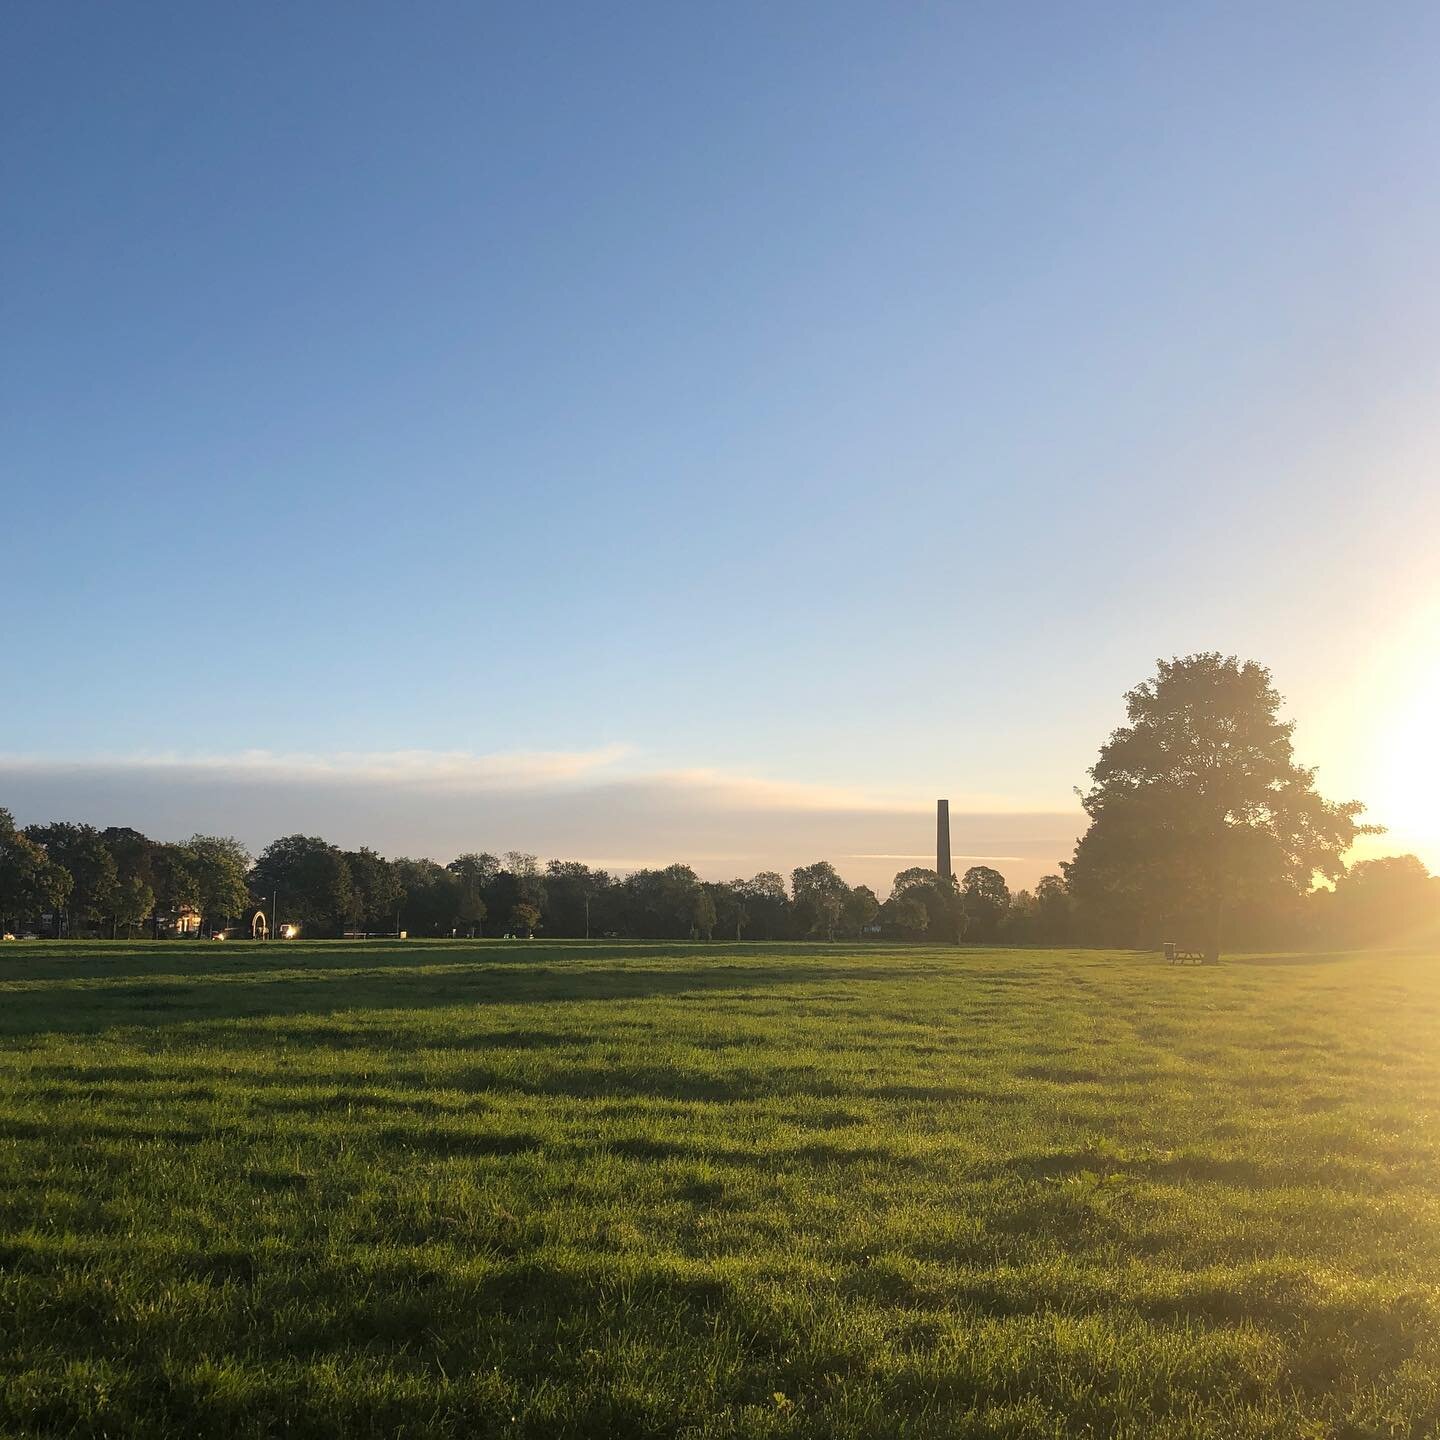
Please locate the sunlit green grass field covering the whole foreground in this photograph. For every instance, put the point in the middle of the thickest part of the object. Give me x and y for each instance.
(626, 1190)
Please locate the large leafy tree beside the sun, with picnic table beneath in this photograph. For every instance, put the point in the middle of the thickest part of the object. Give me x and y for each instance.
(1199, 806)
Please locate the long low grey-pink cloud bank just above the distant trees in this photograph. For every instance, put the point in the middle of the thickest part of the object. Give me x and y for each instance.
(604, 806)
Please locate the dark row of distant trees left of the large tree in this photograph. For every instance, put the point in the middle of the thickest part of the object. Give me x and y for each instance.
(81, 882)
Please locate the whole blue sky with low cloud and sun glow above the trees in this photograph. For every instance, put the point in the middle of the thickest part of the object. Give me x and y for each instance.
(463, 426)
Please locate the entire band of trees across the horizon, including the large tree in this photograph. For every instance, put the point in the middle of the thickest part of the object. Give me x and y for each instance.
(1203, 829)
